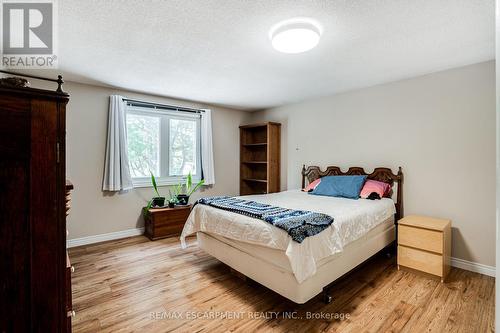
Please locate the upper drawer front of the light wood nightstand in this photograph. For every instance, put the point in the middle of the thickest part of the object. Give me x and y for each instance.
(425, 239)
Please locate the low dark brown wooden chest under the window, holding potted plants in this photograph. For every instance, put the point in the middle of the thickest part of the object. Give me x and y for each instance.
(166, 222)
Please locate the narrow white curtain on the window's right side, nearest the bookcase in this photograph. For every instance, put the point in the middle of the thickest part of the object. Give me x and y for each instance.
(207, 150)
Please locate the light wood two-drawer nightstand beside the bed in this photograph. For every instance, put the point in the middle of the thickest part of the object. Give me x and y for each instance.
(424, 244)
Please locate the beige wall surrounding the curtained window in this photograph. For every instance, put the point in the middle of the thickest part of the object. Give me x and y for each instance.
(94, 212)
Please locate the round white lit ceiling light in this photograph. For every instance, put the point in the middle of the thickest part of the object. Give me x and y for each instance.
(295, 35)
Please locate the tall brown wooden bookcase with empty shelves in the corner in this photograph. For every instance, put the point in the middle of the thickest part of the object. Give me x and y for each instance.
(260, 158)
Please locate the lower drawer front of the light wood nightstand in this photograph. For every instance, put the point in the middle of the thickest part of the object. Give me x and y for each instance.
(420, 260)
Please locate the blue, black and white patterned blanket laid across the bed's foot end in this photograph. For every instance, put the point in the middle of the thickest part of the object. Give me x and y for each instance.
(299, 224)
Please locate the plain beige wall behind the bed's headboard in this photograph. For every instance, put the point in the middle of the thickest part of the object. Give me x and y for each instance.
(440, 128)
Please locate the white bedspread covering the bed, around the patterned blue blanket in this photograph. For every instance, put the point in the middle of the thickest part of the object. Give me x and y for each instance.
(352, 220)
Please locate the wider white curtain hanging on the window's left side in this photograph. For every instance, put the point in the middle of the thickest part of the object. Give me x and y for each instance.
(116, 169)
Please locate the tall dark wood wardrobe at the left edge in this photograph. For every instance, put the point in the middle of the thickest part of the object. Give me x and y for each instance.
(35, 289)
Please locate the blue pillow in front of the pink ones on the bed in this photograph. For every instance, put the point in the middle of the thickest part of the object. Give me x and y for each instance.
(340, 186)
